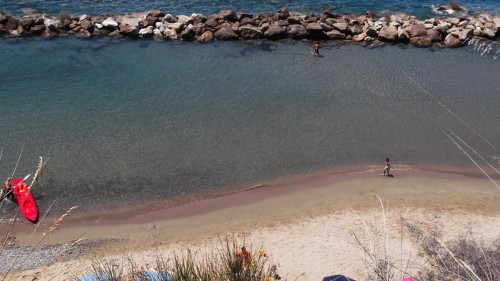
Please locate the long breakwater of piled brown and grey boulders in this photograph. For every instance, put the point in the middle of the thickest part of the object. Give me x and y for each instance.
(232, 25)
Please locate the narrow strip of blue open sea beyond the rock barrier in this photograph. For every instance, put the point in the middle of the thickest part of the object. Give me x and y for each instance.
(420, 8)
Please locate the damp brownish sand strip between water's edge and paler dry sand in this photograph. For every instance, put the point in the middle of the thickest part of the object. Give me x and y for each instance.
(277, 198)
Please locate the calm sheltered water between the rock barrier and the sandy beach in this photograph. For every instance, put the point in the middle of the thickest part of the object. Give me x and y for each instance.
(123, 122)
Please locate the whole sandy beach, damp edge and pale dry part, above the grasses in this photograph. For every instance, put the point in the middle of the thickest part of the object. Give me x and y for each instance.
(307, 226)
